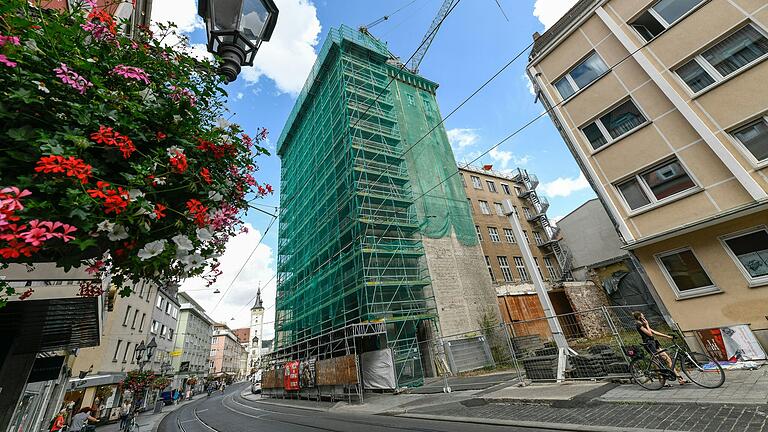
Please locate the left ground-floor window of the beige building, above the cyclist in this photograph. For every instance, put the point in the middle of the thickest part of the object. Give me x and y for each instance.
(684, 273)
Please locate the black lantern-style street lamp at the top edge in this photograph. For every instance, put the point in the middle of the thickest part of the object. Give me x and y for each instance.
(236, 29)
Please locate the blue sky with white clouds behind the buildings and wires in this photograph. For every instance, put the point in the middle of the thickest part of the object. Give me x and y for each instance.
(473, 43)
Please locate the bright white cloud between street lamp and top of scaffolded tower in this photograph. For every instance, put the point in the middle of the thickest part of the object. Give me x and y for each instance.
(289, 55)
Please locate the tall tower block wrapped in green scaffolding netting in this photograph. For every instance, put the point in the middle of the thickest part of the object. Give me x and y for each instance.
(374, 223)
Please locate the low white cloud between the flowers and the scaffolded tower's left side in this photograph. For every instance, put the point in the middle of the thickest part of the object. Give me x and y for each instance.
(237, 302)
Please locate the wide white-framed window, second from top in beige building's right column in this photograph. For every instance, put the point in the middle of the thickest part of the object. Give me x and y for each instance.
(742, 48)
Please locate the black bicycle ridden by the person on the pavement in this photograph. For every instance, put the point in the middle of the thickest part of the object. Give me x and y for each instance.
(652, 372)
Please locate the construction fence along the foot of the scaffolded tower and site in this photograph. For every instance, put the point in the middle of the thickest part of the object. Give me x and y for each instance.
(596, 339)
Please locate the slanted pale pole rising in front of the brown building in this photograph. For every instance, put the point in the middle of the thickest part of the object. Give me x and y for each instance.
(541, 289)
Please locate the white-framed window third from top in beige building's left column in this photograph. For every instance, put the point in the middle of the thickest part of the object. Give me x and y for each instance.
(656, 184)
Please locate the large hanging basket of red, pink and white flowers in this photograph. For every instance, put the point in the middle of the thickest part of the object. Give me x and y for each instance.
(113, 153)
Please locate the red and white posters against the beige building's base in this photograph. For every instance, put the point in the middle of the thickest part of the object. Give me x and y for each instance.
(732, 343)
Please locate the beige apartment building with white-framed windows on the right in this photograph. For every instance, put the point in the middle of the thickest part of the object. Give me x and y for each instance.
(663, 104)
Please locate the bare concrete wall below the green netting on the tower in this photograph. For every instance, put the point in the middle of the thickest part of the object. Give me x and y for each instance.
(460, 283)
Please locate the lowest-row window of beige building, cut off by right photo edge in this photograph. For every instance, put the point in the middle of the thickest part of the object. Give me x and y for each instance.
(750, 250)
